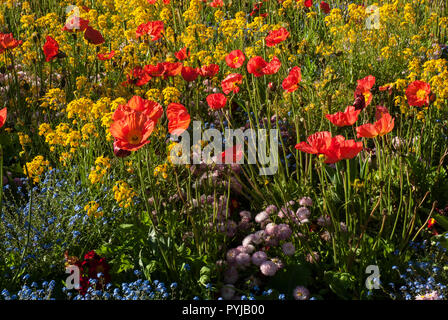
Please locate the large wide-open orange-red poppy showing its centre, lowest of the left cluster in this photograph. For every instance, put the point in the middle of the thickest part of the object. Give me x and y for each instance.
(132, 131)
